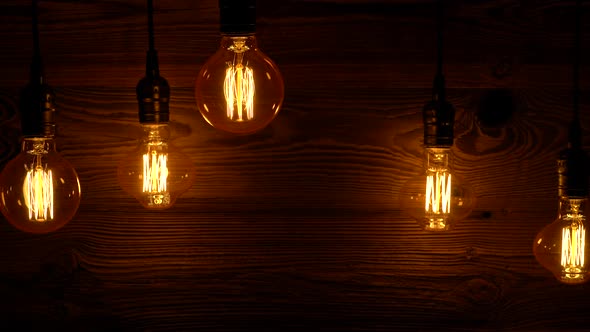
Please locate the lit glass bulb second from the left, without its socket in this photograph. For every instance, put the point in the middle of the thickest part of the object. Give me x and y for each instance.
(156, 173)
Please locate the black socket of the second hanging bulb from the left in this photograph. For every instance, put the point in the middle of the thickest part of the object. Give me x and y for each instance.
(153, 96)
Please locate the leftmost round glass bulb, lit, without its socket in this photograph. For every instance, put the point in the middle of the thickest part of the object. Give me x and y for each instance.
(39, 189)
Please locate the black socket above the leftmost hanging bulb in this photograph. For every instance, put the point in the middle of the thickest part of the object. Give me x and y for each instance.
(37, 110)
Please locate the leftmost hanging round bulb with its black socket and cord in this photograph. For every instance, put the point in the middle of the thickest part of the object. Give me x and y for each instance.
(39, 189)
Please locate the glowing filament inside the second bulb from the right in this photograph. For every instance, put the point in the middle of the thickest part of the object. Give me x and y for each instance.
(438, 193)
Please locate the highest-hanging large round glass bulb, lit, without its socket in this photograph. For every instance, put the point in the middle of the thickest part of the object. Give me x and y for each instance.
(239, 89)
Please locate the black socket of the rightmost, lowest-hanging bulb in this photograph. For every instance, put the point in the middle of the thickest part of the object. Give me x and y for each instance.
(572, 174)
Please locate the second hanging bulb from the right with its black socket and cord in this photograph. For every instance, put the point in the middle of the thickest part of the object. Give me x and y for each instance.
(437, 198)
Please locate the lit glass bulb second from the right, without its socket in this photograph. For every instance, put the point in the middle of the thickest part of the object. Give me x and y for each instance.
(437, 198)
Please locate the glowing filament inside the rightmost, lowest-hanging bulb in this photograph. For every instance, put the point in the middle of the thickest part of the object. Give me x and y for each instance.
(573, 241)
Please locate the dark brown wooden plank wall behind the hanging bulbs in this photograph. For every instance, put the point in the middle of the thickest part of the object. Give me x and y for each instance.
(298, 227)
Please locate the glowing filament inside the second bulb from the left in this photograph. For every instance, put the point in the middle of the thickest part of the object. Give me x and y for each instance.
(155, 172)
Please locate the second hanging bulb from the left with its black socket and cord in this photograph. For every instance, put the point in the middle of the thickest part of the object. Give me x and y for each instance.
(156, 173)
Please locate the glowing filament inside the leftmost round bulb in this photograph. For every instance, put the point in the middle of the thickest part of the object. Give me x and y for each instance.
(38, 193)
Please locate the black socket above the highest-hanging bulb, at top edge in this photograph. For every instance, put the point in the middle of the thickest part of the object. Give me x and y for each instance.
(237, 17)
